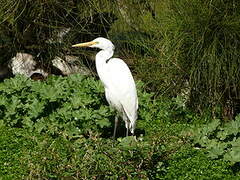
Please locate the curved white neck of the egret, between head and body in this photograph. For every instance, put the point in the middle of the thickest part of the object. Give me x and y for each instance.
(102, 58)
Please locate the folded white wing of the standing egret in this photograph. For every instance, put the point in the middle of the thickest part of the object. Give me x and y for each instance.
(122, 84)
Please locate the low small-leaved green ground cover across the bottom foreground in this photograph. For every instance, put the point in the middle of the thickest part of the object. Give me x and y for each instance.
(32, 155)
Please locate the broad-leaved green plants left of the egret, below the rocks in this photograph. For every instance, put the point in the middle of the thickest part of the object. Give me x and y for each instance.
(73, 105)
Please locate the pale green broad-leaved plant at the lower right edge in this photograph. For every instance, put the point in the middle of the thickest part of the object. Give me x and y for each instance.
(220, 141)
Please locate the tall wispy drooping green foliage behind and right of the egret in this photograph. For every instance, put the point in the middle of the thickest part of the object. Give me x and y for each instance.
(189, 43)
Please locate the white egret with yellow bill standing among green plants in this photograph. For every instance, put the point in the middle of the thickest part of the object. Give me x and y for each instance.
(120, 88)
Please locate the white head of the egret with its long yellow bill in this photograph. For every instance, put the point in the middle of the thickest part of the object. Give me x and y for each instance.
(100, 42)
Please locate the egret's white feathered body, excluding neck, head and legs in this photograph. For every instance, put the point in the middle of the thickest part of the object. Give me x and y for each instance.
(121, 90)
